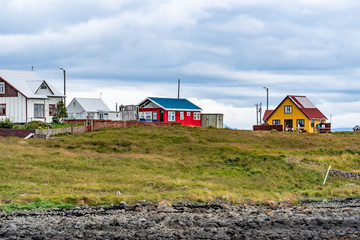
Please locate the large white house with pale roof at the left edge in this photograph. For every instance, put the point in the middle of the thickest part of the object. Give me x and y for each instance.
(26, 97)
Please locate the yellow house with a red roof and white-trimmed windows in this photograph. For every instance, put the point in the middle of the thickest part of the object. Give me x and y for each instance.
(296, 113)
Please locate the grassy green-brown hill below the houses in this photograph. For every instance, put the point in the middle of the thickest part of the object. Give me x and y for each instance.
(175, 164)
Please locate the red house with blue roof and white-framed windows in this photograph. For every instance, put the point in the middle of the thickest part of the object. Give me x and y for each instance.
(170, 110)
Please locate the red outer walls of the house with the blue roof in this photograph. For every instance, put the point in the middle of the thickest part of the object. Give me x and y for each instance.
(187, 121)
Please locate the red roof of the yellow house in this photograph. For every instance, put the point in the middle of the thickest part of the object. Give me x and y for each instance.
(304, 104)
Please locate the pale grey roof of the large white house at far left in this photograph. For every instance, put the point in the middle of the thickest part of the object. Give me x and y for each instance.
(27, 83)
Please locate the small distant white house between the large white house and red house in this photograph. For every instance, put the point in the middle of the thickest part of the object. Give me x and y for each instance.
(90, 108)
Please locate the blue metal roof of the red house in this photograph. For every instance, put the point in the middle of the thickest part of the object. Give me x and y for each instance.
(174, 103)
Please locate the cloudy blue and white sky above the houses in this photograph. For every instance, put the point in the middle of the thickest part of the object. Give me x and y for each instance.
(225, 52)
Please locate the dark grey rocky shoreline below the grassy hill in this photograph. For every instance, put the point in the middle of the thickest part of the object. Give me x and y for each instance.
(336, 219)
